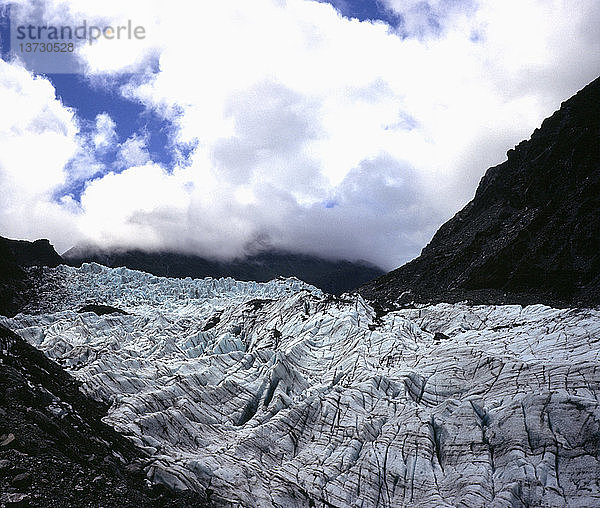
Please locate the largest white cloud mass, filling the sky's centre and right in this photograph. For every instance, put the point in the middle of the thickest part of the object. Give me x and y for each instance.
(293, 106)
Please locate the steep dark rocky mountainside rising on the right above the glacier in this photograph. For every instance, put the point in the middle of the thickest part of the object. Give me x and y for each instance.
(530, 235)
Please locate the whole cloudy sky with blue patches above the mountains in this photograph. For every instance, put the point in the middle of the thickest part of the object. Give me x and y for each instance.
(345, 129)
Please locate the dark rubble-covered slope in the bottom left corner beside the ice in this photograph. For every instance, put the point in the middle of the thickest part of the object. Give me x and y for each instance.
(54, 448)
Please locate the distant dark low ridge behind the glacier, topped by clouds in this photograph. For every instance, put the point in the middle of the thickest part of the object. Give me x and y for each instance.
(334, 277)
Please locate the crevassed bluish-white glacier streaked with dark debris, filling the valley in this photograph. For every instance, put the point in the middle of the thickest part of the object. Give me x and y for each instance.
(273, 394)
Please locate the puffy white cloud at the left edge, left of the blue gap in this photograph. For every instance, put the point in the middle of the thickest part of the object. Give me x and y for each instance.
(37, 139)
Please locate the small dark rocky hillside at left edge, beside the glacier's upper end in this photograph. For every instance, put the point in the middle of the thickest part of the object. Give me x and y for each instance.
(15, 282)
